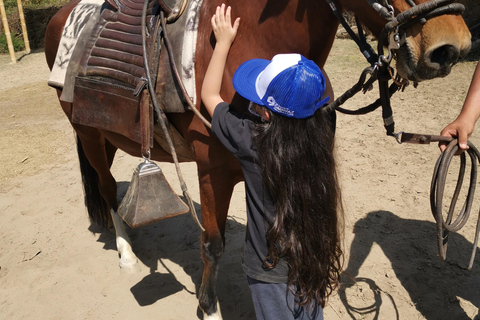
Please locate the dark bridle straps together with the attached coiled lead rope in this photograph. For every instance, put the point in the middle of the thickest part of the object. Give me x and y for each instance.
(380, 70)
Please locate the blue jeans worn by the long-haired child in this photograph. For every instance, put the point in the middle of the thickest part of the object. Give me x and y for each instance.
(275, 301)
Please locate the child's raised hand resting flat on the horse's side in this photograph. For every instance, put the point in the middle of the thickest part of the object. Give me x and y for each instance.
(224, 32)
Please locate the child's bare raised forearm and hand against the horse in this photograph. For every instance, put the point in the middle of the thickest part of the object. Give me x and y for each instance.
(225, 35)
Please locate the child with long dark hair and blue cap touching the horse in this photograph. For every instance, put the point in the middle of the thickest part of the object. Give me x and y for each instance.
(292, 254)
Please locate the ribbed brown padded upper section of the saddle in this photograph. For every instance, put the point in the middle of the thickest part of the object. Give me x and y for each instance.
(114, 53)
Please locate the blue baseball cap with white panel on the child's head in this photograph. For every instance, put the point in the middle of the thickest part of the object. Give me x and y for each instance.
(289, 84)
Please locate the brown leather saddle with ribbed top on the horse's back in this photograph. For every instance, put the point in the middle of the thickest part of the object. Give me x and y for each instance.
(111, 73)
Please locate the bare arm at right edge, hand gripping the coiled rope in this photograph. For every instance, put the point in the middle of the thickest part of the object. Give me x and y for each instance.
(462, 127)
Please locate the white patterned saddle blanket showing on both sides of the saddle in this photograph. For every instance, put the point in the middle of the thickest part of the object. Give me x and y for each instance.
(82, 19)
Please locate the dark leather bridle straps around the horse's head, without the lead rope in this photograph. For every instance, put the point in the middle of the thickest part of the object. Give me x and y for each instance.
(393, 37)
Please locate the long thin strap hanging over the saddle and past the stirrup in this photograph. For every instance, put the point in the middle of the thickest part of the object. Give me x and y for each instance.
(161, 116)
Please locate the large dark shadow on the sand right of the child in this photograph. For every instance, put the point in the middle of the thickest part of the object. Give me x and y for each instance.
(410, 245)
